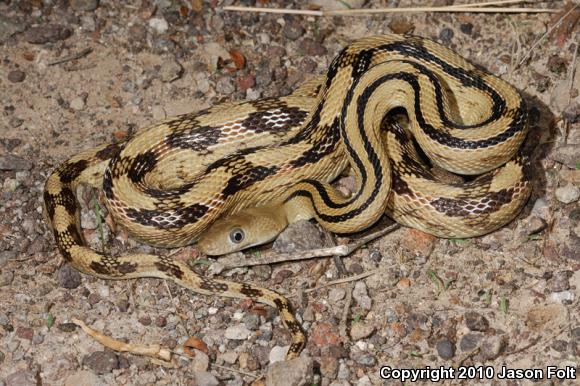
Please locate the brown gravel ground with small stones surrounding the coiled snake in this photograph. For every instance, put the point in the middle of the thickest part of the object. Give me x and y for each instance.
(77, 73)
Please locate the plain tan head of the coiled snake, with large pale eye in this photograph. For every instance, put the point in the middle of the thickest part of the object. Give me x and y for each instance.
(244, 229)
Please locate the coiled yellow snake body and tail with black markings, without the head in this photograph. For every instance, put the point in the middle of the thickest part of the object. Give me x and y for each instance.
(170, 182)
